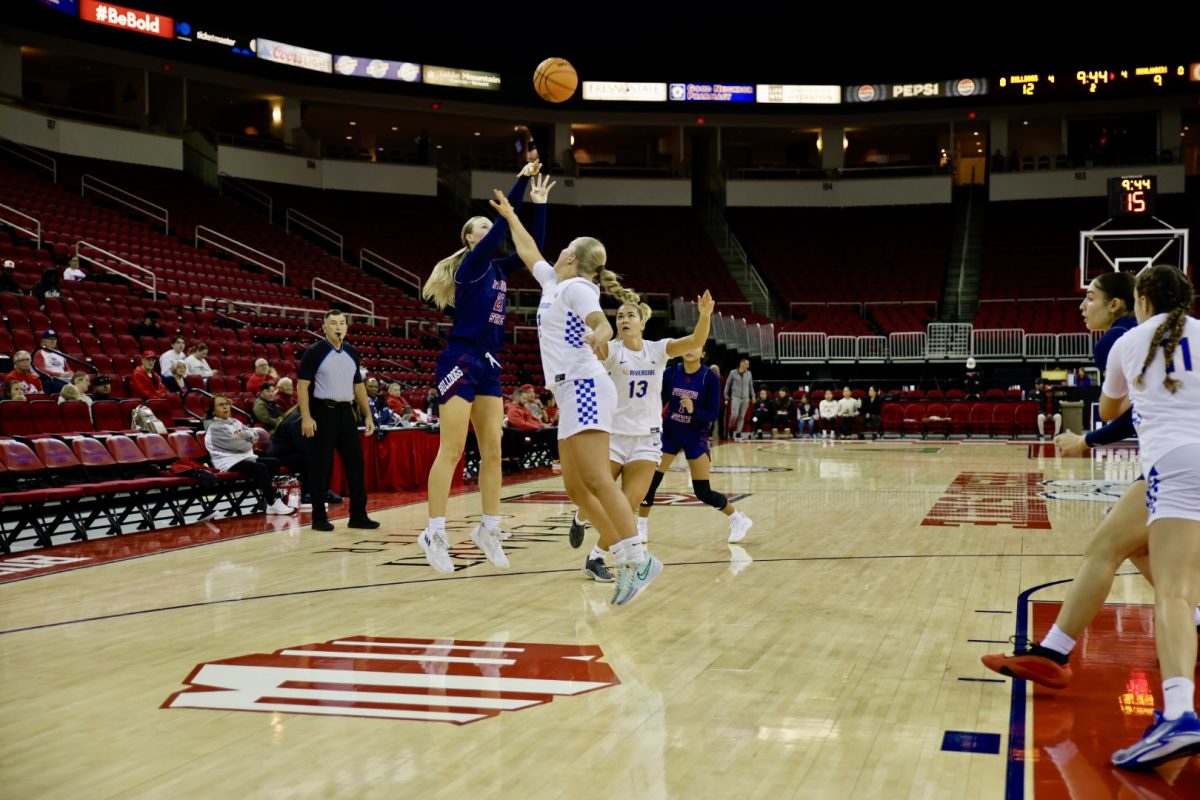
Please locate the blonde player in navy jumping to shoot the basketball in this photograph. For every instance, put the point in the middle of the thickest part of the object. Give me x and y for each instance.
(469, 374)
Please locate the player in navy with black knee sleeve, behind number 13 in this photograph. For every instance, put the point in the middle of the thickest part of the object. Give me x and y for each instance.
(695, 401)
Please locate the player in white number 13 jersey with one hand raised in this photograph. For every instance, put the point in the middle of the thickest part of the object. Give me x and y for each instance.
(637, 370)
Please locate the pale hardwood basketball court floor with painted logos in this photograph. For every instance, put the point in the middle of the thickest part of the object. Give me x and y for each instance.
(835, 654)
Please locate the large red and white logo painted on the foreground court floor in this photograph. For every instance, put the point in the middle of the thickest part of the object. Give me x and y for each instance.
(429, 681)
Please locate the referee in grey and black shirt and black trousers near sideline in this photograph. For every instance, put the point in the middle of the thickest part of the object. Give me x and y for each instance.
(329, 383)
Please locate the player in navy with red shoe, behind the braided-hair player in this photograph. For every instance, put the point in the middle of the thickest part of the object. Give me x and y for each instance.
(1123, 536)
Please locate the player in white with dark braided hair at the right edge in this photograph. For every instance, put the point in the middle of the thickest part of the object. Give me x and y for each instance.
(1153, 370)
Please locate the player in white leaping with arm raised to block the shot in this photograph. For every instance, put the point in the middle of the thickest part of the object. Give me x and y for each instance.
(572, 328)
